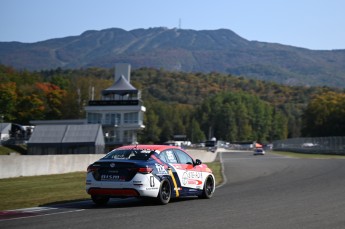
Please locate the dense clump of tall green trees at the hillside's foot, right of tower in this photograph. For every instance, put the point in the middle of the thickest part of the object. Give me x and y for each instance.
(237, 116)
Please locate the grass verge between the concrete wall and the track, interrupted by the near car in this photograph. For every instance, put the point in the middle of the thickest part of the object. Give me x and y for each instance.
(24, 192)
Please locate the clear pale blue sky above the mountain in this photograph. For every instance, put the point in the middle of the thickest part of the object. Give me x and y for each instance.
(312, 24)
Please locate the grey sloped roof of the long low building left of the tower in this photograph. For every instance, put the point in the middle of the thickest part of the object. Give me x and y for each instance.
(46, 134)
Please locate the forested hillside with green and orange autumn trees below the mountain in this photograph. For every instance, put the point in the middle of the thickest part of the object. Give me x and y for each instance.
(198, 105)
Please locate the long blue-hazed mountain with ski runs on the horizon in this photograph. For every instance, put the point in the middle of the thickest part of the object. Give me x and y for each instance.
(182, 50)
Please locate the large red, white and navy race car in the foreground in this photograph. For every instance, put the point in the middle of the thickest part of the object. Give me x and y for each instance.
(157, 171)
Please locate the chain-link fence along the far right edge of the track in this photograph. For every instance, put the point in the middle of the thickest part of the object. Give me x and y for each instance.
(321, 145)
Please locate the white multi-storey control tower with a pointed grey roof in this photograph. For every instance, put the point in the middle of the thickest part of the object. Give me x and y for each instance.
(120, 110)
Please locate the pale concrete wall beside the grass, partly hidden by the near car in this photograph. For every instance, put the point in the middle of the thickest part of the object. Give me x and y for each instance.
(35, 165)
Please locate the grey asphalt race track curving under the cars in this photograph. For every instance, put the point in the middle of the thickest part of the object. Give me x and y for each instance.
(260, 192)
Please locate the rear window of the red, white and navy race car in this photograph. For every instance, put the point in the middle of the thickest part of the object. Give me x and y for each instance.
(129, 154)
